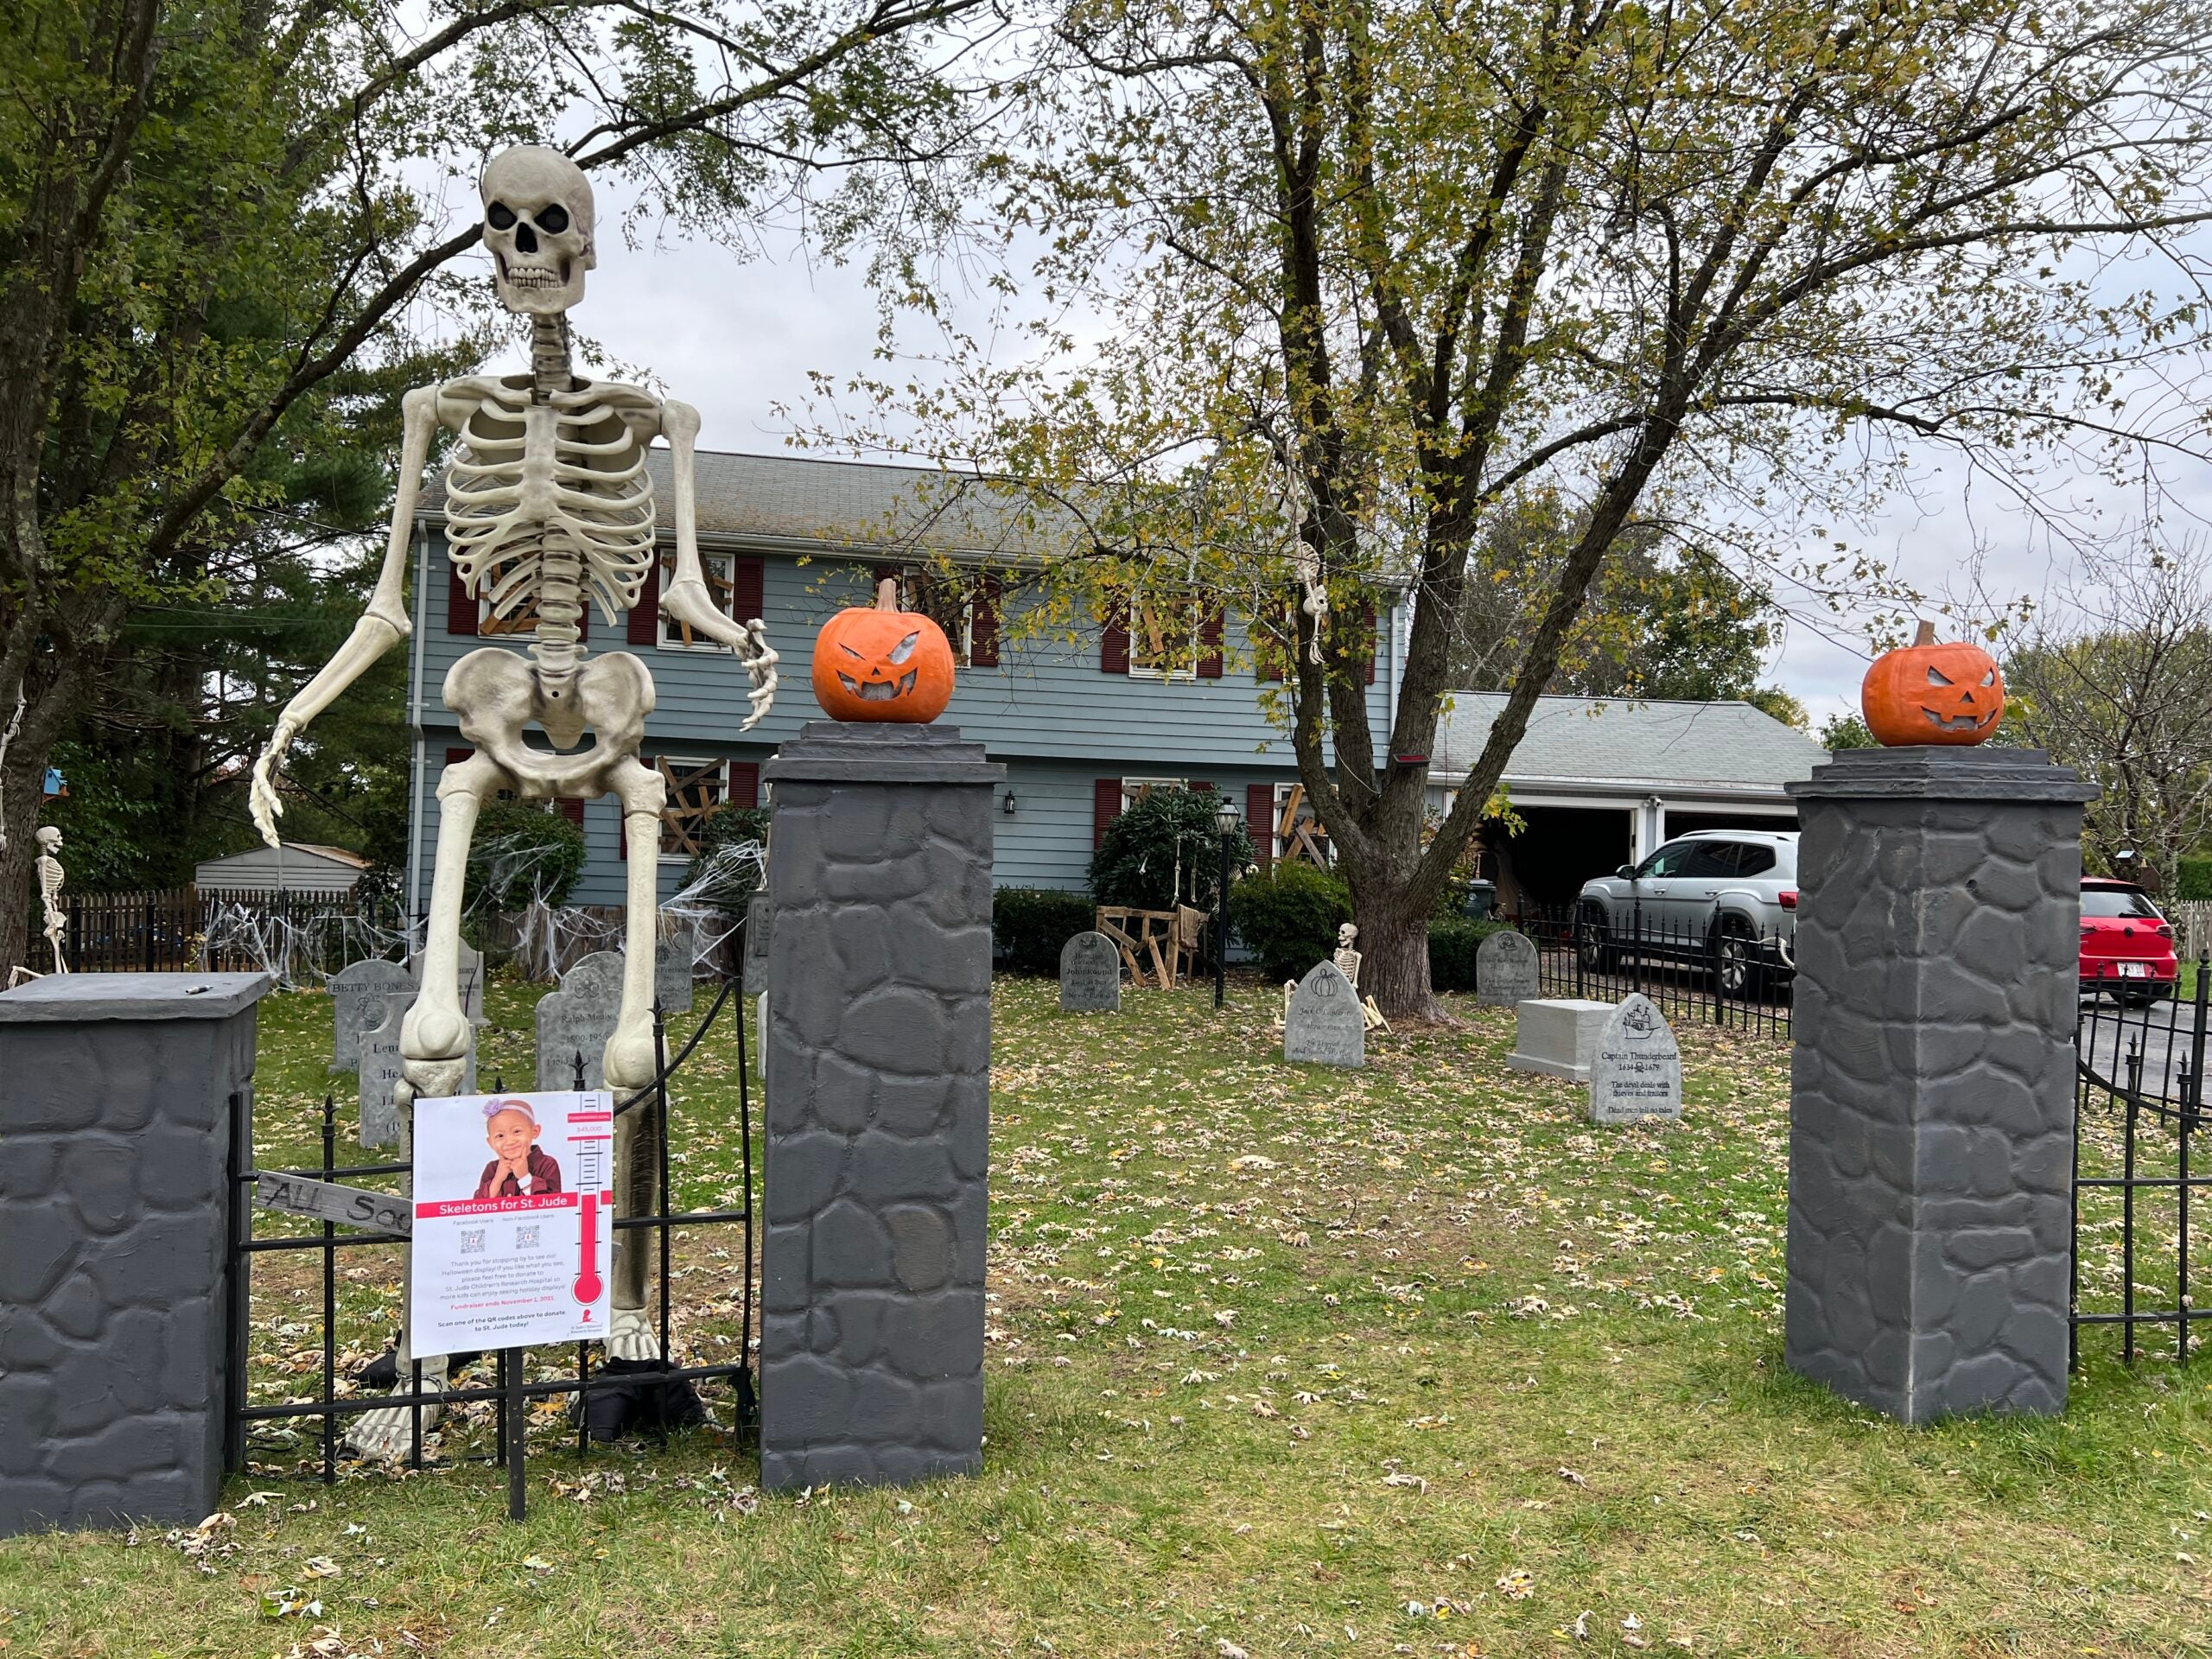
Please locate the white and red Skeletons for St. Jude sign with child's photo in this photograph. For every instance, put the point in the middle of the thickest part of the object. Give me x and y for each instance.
(512, 1220)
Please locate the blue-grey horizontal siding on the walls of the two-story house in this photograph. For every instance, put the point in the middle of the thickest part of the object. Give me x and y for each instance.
(1047, 711)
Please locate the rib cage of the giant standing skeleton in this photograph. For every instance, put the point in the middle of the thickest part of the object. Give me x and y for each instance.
(556, 528)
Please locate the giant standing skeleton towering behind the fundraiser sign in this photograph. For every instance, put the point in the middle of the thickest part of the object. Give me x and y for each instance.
(550, 508)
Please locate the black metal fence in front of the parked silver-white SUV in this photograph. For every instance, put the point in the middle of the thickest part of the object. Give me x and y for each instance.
(1724, 974)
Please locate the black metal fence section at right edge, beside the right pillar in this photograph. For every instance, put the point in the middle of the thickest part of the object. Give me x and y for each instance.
(2138, 1162)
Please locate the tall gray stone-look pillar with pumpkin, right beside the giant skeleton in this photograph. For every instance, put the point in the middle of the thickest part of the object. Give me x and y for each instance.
(879, 1083)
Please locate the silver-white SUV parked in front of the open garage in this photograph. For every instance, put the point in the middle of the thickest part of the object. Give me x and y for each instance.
(1722, 897)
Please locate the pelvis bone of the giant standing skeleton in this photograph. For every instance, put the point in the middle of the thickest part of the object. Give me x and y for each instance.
(499, 693)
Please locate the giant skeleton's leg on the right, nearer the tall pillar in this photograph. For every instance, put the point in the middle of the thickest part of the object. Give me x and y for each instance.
(632, 1063)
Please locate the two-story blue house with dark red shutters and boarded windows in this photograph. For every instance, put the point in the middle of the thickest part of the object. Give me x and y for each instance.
(1087, 713)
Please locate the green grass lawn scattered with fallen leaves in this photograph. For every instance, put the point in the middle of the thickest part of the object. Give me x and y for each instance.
(1282, 1361)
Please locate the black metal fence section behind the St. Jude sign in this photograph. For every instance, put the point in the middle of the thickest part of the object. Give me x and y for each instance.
(258, 1233)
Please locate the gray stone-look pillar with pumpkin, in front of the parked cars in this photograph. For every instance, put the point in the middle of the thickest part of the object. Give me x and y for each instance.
(1932, 1083)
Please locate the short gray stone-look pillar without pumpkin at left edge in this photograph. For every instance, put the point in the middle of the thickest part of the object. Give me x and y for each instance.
(123, 1100)
